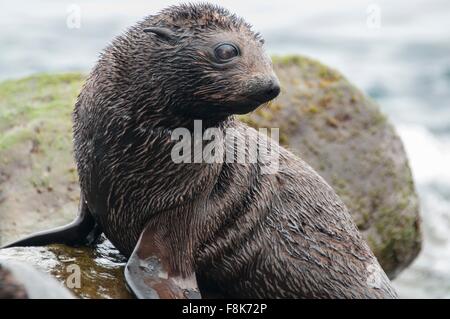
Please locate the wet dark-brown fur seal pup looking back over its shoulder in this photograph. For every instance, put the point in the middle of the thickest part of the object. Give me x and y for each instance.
(220, 229)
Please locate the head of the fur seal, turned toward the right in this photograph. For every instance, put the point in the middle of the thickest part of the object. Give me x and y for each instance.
(200, 59)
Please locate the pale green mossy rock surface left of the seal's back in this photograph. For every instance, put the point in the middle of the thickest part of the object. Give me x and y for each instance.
(38, 179)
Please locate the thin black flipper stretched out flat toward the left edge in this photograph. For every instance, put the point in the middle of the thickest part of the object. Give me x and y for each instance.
(82, 231)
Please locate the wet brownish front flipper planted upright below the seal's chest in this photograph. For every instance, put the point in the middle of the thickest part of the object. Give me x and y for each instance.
(149, 275)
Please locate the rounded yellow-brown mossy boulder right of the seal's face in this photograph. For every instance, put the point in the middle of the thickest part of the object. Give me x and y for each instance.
(344, 136)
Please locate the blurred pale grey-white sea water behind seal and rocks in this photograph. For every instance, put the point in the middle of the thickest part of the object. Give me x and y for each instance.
(396, 52)
